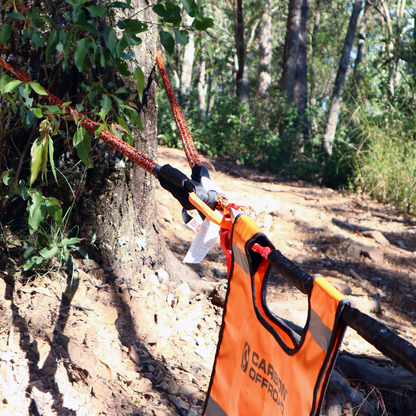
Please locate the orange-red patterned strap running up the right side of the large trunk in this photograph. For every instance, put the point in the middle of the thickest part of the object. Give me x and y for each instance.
(188, 144)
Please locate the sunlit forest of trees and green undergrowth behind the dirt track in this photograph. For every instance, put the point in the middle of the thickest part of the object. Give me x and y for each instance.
(321, 90)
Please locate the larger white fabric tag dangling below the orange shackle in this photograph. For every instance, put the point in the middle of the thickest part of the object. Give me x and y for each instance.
(203, 243)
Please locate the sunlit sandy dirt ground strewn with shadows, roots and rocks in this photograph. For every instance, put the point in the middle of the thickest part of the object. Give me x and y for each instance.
(102, 345)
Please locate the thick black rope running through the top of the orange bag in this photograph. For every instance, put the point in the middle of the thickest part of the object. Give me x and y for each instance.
(373, 331)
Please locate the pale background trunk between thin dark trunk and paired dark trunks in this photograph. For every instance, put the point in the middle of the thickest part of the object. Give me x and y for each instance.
(265, 53)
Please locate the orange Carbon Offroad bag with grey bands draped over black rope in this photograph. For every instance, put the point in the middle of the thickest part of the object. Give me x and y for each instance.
(261, 366)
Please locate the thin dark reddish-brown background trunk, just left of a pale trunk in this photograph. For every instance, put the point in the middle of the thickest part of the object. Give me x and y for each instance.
(242, 86)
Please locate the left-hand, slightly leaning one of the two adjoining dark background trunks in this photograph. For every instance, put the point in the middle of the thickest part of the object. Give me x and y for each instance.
(291, 49)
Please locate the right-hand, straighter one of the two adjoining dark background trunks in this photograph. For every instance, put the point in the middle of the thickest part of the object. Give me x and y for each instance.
(300, 91)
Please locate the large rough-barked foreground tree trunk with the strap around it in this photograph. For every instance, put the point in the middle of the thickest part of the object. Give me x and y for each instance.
(118, 202)
